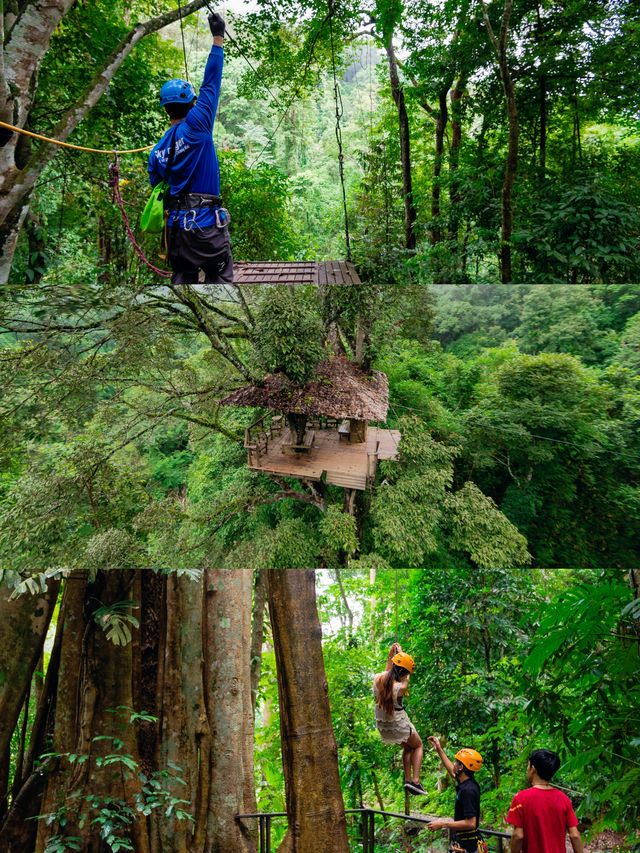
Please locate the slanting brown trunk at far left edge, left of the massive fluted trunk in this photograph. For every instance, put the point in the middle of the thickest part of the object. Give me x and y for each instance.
(24, 623)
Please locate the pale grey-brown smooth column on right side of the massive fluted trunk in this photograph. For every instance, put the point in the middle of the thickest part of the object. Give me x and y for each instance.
(227, 692)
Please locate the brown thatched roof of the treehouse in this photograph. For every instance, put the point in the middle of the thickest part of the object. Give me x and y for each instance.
(339, 389)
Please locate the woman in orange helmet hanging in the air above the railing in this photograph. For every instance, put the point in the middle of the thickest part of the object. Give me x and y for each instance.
(392, 721)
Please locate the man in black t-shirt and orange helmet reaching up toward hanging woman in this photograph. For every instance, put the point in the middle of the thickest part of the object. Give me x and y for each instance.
(466, 814)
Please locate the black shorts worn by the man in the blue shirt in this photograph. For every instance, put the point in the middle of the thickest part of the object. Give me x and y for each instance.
(207, 249)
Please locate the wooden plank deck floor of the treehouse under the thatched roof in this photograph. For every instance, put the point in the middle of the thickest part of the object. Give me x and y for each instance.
(350, 466)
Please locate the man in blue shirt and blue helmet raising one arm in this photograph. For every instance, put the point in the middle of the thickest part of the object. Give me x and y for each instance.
(197, 224)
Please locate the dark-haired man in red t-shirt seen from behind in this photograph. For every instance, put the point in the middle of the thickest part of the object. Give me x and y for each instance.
(542, 815)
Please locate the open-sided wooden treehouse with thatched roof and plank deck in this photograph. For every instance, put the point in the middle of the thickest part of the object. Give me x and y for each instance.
(322, 430)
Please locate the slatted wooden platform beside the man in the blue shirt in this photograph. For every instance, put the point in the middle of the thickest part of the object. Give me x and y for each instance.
(295, 272)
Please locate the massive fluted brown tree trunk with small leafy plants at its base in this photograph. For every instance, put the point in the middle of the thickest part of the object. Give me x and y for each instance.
(192, 672)
